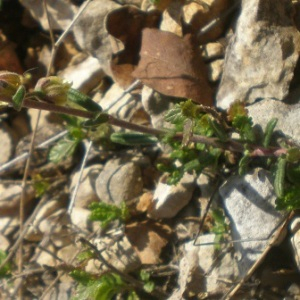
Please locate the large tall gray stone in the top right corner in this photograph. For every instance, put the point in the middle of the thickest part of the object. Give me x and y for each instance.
(262, 55)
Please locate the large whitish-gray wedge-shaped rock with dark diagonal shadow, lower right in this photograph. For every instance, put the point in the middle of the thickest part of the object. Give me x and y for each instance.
(250, 202)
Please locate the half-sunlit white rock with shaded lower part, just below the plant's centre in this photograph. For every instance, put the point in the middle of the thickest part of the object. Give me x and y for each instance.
(168, 200)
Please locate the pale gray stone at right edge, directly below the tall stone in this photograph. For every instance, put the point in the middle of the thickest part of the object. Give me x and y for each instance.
(288, 116)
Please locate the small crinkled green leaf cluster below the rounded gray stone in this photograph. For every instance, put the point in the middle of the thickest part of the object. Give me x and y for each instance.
(106, 213)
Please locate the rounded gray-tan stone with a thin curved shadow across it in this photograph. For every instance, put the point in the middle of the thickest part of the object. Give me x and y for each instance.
(119, 182)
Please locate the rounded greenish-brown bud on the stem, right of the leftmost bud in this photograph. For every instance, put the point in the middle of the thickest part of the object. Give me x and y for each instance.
(53, 89)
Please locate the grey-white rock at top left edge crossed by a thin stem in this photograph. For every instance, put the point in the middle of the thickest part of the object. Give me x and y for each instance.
(61, 12)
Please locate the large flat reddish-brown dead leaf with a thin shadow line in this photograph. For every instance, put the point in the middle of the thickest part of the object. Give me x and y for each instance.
(171, 65)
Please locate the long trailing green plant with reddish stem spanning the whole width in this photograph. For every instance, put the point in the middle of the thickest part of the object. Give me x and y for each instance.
(201, 140)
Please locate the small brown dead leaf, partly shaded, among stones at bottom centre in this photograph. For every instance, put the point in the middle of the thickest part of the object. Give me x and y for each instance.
(148, 238)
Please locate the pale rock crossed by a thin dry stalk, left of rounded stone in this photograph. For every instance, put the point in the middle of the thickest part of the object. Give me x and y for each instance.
(86, 192)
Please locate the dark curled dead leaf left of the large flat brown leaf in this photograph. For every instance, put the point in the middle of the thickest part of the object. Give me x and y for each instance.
(125, 24)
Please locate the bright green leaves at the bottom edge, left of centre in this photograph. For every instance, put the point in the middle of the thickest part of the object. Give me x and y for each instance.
(106, 287)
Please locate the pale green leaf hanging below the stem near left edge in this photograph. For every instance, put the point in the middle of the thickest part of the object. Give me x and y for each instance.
(62, 149)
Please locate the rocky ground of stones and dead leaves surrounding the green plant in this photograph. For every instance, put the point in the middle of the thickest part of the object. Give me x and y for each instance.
(206, 237)
